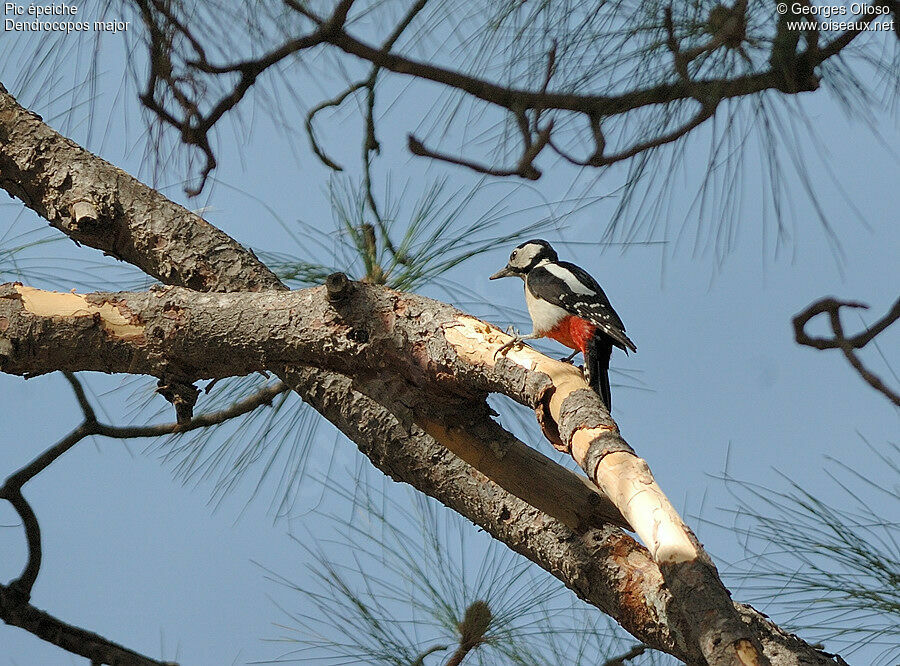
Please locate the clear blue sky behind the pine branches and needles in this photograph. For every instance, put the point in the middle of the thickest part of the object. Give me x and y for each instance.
(137, 556)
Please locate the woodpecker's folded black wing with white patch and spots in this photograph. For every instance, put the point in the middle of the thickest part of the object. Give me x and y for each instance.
(575, 291)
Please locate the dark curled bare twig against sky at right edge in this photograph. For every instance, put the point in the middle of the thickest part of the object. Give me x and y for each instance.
(840, 341)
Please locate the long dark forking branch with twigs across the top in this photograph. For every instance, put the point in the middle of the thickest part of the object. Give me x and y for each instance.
(791, 75)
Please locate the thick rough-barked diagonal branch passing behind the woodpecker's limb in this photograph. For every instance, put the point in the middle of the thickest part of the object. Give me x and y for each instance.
(617, 583)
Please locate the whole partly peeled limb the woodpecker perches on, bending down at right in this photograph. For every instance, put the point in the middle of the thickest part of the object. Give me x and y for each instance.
(374, 331)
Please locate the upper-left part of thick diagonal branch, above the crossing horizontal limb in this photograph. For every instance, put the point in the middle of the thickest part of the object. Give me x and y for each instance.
(134, 223)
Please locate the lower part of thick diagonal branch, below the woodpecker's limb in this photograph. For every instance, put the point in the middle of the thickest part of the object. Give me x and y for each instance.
(603, 566)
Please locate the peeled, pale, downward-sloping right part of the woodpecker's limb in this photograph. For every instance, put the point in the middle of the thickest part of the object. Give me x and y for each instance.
(626, 479)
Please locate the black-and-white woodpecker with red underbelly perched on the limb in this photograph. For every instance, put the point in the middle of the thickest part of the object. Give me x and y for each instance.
(567, 304)
